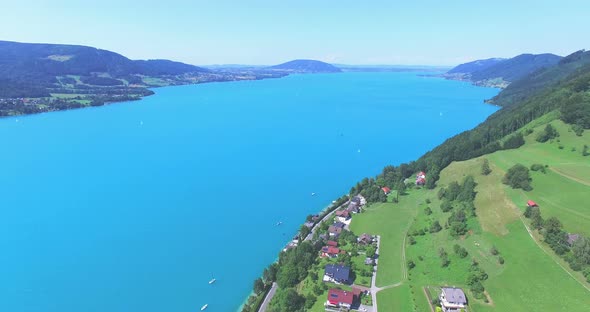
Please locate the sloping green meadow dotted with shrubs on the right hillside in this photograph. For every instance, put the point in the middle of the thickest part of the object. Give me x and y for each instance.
(532, 277)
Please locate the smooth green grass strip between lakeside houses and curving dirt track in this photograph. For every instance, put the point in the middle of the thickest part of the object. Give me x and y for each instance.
(390, 221)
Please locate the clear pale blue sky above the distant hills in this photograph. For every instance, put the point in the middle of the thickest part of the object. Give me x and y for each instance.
(425, 32)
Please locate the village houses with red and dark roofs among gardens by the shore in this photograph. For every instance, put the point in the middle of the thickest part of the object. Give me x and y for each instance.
(348, 264)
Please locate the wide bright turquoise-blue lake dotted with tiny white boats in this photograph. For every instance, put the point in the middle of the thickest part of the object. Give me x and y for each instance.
(136, 206)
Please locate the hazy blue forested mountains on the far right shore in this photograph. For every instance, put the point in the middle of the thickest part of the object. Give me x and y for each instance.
(499, 72)
